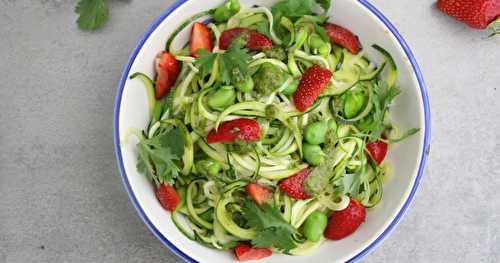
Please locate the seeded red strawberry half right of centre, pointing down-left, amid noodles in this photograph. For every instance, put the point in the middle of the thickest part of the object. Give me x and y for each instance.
(313, 82)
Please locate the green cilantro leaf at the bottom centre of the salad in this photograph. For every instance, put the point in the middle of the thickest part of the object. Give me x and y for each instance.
(272, 229)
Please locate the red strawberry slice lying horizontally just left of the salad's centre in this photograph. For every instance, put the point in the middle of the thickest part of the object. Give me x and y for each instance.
(235, 130)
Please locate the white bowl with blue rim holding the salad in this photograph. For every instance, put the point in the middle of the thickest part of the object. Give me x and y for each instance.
(411, 109)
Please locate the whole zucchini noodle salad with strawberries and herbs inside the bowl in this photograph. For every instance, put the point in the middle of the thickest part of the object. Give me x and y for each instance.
(268, 129)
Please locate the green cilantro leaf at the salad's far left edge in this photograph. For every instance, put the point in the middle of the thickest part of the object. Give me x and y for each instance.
(158, 156)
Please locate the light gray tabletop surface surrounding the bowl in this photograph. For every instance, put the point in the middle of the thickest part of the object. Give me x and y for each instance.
(62, 200)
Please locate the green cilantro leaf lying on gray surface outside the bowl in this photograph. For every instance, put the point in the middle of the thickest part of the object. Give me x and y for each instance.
(93, 14)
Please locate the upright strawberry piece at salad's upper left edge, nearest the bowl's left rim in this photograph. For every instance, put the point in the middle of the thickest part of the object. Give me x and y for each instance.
(167, 71)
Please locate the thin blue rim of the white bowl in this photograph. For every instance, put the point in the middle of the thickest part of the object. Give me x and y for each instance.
(379, 239)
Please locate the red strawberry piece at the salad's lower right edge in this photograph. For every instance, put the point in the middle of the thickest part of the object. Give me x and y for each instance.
(343, 223)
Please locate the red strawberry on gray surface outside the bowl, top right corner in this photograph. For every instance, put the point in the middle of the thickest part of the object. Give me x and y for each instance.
(475, 13)
